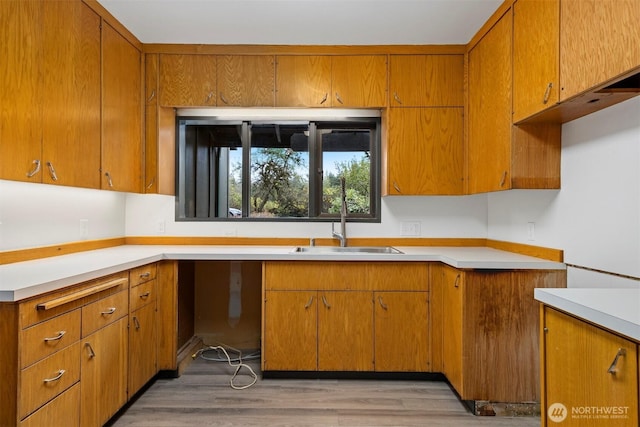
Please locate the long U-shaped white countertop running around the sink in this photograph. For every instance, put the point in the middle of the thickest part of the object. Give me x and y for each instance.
(22, 280)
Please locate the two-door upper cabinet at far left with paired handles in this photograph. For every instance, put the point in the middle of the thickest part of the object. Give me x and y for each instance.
(51, 59)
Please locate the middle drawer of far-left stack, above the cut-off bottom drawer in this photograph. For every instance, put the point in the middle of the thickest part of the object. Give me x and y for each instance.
(46, 379)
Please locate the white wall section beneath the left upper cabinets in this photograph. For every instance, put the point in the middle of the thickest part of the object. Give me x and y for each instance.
(34, 215)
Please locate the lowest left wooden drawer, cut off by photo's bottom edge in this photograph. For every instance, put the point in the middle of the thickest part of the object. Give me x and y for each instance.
(63, 410)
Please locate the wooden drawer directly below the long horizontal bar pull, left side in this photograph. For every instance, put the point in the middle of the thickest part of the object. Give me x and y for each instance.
(44, 339)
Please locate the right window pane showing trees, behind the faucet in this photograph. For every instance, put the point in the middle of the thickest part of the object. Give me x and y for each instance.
(346, 152)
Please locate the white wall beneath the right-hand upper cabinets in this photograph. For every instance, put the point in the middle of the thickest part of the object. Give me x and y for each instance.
(595, 217)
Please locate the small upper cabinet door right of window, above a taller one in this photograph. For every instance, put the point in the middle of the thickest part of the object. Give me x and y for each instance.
(426, 80)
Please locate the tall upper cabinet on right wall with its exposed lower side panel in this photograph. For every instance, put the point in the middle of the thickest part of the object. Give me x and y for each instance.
(502, 156)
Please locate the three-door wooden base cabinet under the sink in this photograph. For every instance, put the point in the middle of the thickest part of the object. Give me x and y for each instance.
(345, 316)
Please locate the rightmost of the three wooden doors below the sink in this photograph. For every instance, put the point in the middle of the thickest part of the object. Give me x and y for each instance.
(401, 332)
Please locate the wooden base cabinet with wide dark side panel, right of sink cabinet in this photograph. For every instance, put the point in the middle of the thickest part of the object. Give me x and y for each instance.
(484, 327)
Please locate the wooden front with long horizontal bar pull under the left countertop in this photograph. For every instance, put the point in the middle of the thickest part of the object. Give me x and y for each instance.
(45, 307)
